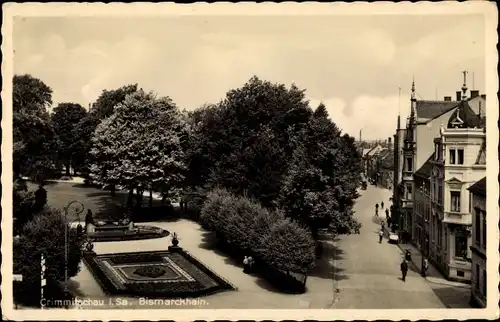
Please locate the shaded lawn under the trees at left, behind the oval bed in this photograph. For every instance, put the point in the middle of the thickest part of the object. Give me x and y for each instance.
(100, 202)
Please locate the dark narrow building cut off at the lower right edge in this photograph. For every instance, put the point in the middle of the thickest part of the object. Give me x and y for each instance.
(478, 247)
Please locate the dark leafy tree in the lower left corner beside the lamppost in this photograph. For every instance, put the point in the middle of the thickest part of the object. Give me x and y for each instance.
(44, 234)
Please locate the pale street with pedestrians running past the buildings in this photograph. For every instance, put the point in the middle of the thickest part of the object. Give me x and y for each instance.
(368, 274)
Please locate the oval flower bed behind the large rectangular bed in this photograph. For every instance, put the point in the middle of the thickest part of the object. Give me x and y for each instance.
(139, 232)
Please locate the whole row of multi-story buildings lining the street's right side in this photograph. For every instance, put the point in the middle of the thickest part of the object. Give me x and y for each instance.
(439, 185)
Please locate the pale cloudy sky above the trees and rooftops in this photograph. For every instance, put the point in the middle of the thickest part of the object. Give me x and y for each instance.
(355, 65)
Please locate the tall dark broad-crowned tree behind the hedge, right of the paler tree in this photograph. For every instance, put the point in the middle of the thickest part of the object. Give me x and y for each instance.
(250, 129)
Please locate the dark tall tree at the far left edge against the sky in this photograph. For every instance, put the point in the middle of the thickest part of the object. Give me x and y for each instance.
(35, 142)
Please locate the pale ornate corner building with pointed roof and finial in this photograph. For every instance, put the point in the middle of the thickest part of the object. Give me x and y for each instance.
(456, 166)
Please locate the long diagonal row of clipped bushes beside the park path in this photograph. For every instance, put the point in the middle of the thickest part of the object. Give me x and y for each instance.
(267, 235)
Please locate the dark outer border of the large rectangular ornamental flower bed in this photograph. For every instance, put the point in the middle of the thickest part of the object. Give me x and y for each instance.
(148, 290)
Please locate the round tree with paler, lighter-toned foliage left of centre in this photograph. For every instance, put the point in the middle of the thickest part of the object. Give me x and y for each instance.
(140, 145)
